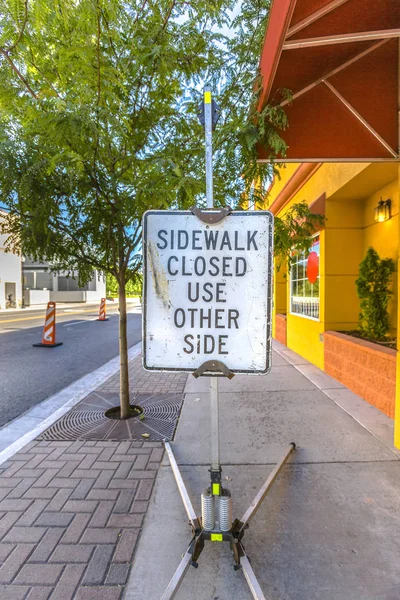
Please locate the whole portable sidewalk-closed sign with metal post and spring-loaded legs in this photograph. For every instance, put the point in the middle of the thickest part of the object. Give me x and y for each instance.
(208, 310)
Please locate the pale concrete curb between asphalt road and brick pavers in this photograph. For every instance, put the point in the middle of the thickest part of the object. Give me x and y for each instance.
(26, 428)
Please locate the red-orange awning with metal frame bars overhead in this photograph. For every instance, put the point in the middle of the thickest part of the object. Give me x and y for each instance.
(341, 61)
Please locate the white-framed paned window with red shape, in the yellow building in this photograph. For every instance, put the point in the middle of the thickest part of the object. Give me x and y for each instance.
(304, 282)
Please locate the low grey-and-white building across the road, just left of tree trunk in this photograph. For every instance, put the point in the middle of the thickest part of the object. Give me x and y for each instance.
(41, 285)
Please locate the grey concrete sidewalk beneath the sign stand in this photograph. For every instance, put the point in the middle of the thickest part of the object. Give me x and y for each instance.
(329, 529)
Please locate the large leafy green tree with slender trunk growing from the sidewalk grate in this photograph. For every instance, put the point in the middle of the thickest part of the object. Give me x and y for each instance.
(98, 123)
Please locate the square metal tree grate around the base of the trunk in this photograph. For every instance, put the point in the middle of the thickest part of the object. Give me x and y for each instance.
(87, 420)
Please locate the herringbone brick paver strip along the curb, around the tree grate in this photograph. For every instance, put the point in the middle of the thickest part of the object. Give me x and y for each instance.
(71, 511)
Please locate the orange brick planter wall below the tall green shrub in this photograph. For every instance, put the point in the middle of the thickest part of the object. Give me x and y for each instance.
(368, 369)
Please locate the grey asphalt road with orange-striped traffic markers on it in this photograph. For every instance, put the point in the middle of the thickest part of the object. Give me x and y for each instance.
(29, 375)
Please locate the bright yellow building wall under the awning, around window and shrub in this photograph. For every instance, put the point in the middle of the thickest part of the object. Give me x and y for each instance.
(349, 230)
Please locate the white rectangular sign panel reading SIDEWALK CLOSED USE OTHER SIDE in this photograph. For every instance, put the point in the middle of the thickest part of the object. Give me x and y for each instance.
(207, 291)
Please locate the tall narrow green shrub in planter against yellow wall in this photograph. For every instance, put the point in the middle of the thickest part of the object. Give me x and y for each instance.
(373, 290)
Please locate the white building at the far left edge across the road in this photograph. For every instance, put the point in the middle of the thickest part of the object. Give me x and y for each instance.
(10, 277)
